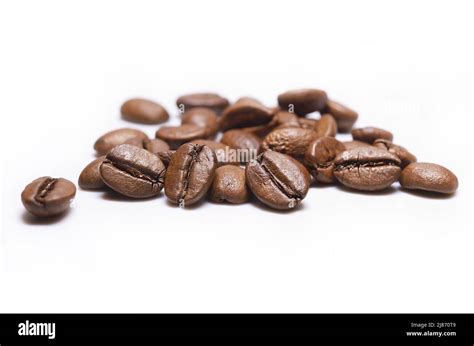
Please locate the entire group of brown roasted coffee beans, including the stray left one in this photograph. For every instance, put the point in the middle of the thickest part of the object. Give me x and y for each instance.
(272, 153)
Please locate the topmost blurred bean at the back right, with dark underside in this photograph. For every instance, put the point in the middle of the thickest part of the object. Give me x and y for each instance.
(303, 101)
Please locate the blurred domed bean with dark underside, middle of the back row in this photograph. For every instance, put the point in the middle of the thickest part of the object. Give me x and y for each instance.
(246, 112)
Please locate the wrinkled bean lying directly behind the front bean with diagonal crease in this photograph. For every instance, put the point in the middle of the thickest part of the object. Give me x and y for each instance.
(293, 141)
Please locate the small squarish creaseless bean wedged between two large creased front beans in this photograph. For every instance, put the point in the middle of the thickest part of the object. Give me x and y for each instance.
(229, 185)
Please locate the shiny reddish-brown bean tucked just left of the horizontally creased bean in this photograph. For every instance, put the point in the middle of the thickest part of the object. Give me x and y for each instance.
(320, 157)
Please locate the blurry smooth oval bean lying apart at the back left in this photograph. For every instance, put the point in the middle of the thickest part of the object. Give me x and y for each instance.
(144, 111)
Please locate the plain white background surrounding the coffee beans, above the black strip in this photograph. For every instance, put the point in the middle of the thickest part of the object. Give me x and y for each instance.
(66, 67)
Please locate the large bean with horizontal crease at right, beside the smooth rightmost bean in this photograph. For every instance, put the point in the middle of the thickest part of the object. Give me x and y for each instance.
(367, 168)
